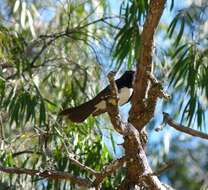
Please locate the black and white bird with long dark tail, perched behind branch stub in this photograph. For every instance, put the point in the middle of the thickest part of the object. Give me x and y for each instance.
(97, 105)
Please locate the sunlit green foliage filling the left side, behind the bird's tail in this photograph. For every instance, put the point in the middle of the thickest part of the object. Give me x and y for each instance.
(45, 66)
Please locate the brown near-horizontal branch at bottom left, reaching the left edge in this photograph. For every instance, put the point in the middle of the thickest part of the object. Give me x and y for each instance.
(50, 174)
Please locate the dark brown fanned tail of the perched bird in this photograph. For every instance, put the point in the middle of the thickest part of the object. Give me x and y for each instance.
(80, 113)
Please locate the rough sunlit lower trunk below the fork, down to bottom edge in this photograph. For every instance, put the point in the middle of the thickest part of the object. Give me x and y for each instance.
(139, 171)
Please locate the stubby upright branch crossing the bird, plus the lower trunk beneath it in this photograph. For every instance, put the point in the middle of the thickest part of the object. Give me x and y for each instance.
(135, 152)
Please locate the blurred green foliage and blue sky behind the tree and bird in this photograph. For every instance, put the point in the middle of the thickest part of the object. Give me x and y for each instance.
(52, 55)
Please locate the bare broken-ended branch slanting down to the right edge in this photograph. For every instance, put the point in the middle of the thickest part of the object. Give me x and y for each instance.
(183, 128)
